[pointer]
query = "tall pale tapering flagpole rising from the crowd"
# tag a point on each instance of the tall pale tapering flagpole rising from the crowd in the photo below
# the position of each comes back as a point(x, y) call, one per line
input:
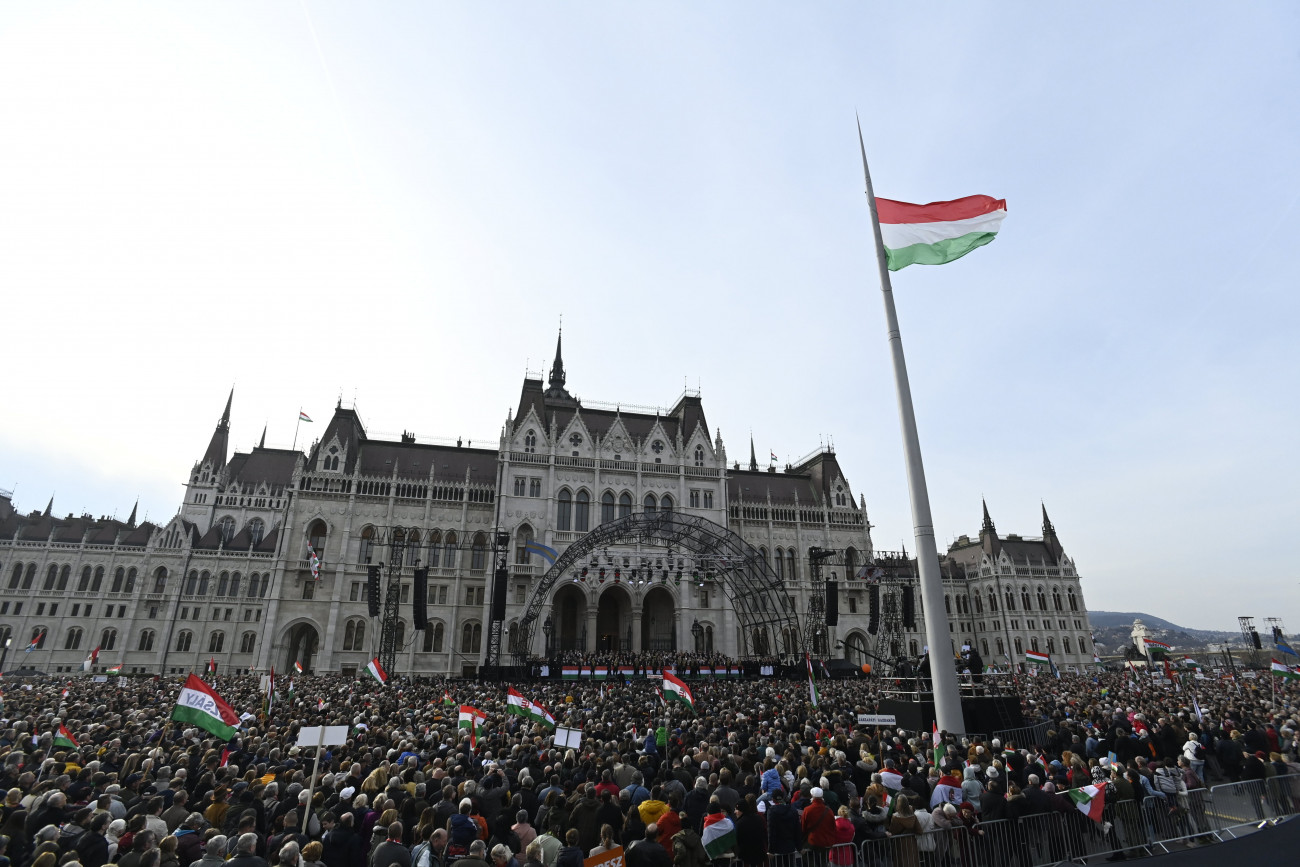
point(948, 701)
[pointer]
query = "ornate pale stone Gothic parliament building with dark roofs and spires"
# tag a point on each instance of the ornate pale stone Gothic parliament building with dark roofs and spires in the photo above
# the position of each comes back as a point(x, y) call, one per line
point(229, 579)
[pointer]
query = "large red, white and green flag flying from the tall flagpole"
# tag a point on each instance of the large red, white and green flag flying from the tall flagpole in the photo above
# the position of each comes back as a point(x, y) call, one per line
point(938, 233)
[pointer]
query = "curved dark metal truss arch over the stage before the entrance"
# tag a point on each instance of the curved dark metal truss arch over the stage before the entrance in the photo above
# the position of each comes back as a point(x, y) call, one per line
point(677, 548)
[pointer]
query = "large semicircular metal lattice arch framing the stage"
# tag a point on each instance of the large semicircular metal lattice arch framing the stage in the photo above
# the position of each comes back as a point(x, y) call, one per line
point(759, 597)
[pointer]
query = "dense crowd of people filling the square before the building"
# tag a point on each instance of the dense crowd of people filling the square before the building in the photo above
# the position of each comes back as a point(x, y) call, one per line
point(97, 774)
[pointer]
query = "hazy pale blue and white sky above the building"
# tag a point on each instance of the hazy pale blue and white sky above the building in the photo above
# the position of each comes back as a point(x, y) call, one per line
point(398, 202)
